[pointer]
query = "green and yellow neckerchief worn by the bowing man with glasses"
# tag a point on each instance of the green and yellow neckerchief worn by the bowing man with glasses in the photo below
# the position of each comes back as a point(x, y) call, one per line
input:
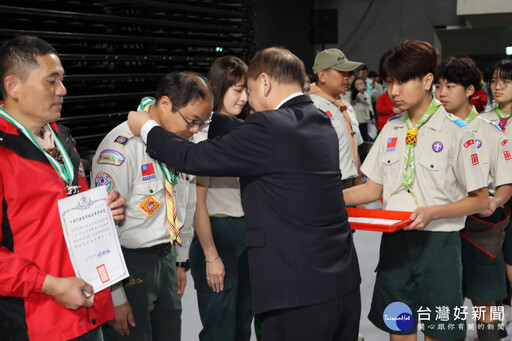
point(171, 179)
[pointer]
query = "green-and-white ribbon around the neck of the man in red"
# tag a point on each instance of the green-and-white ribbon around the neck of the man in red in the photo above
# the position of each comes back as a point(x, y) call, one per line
point(65, 171)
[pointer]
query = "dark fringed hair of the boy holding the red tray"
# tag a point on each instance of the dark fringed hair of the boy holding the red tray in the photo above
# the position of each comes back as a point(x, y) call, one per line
point(407, 60)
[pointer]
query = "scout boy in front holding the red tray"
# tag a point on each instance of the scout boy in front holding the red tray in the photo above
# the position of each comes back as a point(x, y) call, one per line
point(423, 162)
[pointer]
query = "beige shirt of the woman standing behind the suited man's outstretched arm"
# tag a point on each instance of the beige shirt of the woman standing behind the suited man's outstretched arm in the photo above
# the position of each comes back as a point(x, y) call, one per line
point(223, 195)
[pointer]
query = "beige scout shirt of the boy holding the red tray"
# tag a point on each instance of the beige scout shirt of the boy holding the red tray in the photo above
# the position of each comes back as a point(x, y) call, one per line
point(447, 166)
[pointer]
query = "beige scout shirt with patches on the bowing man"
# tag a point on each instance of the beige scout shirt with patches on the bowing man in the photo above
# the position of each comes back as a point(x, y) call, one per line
point(122, 164)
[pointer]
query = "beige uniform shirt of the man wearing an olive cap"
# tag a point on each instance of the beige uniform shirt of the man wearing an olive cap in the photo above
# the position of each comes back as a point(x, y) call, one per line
point(347, 166)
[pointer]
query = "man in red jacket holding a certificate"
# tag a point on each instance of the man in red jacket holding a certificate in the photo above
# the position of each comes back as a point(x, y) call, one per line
point(40, 296)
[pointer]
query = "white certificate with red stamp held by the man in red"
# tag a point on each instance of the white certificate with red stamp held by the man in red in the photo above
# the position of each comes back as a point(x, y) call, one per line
point(92, 239)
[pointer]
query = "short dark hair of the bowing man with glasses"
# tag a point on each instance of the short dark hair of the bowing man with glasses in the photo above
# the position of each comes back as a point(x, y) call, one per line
point(183, 87)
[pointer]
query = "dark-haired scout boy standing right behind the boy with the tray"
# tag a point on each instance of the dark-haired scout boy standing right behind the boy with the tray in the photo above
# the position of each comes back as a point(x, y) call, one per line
point(484, 280)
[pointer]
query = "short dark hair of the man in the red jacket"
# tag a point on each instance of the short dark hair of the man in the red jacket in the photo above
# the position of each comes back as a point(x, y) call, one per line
point(18, 56)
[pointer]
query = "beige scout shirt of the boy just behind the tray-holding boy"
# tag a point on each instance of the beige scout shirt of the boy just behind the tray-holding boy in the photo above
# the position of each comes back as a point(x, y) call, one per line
point(494, 152)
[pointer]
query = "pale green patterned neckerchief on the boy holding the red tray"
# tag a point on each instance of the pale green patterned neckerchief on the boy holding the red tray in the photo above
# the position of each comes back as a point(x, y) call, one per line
point(410, 140)
